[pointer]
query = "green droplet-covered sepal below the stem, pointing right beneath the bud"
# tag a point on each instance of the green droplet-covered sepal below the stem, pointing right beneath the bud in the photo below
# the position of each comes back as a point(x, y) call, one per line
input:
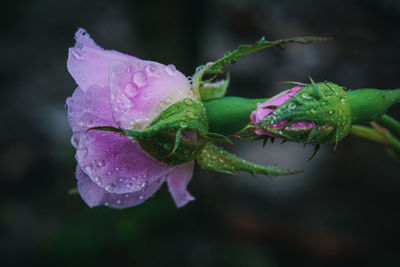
point(217, 159)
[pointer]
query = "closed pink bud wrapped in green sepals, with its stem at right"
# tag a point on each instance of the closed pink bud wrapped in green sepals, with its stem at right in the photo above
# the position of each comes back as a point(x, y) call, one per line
point(319, 113)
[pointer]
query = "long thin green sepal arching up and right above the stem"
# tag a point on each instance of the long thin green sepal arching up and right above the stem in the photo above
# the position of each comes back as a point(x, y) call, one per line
point(214, 68)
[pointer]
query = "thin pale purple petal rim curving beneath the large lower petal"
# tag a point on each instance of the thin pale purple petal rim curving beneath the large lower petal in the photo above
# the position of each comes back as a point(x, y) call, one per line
point(95, 195)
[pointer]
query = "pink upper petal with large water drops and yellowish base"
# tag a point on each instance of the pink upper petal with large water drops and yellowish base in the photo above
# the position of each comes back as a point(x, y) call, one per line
point(141, 90)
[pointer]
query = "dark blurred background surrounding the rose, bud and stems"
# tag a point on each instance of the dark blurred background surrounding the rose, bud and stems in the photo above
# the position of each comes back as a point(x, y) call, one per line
point(342, 211)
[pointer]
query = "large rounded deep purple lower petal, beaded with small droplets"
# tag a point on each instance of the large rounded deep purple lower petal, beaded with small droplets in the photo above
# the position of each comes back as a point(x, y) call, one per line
point(117, 163)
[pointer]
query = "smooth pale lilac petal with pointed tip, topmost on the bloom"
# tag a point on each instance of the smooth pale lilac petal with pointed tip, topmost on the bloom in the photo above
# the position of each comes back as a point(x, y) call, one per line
point(89, 64)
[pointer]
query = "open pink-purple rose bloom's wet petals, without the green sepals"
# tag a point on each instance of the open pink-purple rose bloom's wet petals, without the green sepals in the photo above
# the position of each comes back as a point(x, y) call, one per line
point(123, 91)
